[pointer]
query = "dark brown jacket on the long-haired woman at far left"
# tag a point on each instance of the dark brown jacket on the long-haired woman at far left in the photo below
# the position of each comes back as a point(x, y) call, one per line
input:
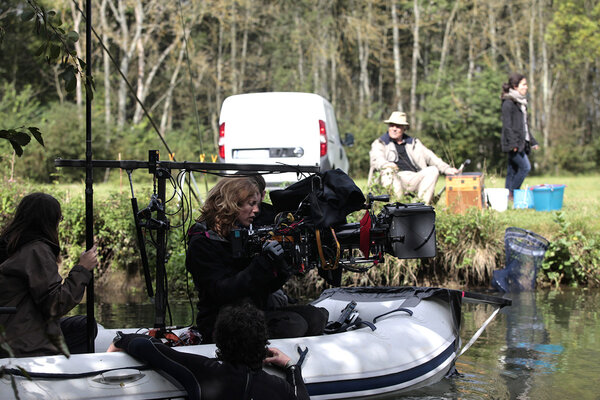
point(29, 280)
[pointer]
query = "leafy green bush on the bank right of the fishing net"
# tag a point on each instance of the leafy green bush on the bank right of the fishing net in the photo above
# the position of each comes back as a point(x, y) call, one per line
point(572, 258)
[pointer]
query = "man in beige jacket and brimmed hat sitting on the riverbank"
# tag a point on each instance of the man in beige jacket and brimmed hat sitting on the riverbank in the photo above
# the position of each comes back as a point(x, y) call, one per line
point(404, 162)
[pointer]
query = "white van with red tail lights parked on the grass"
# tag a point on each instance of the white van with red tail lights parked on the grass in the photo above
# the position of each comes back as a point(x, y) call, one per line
point(281, 128)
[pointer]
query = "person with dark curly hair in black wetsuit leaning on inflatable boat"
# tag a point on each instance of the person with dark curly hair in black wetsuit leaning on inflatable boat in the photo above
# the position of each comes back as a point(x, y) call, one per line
point(236, 373)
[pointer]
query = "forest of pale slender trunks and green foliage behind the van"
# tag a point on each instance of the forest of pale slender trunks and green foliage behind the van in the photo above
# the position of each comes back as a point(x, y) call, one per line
point(442, 62)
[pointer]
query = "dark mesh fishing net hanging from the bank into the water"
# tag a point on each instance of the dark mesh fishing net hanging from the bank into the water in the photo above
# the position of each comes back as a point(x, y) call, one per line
point(524, 255)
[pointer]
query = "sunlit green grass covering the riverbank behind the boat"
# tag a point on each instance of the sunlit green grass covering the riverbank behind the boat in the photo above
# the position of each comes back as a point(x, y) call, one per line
point(457, 260)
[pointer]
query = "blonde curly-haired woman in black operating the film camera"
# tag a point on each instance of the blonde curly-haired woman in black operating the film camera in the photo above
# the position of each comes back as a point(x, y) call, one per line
point(221, 279)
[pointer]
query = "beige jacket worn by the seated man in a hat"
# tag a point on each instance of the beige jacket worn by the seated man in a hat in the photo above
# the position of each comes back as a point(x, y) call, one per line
point(383, 154)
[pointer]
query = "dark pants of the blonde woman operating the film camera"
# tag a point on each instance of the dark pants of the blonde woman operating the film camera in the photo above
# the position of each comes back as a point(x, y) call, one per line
point(296, 321)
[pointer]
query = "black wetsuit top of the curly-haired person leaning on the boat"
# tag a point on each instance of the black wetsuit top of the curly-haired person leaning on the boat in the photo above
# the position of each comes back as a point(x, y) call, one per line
point(206, 378)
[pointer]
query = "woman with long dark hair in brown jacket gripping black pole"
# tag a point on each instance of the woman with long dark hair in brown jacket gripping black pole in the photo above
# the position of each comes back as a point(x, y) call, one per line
point(29, 281)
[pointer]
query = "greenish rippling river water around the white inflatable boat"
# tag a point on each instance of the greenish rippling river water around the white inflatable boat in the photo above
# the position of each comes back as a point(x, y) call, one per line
point(546, 346)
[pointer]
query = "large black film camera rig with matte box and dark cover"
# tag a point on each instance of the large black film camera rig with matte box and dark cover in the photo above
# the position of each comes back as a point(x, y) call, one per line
point(311, 227)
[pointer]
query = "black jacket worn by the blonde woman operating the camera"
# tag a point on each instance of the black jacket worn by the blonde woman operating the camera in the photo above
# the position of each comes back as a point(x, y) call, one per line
point(221, 279)
